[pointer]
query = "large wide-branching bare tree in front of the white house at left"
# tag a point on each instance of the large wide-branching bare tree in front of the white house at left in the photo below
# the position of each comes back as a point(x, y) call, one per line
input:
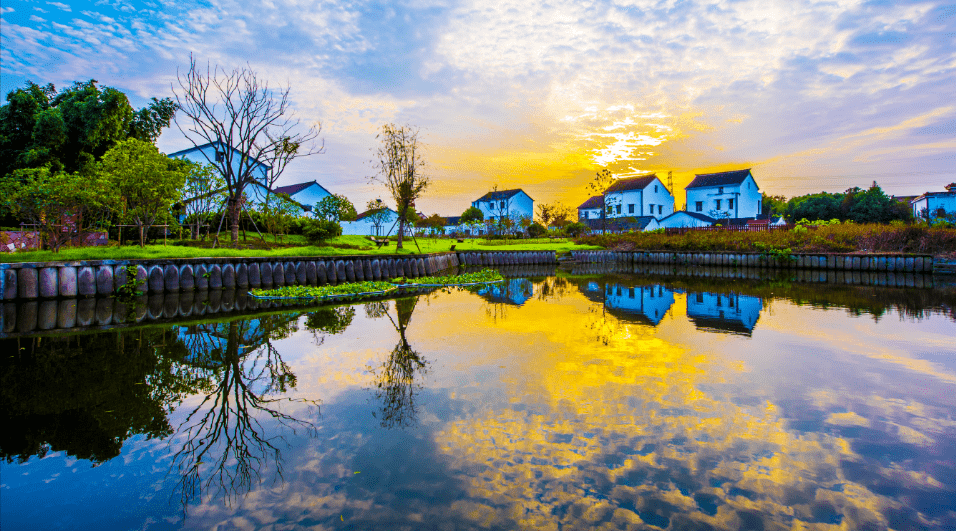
point(249, 124)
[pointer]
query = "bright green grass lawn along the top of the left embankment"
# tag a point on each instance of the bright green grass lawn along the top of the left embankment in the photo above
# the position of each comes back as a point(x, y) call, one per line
point(290, 246)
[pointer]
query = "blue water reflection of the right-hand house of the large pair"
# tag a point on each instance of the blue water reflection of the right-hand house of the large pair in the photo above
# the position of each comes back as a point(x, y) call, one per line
point(729, 313)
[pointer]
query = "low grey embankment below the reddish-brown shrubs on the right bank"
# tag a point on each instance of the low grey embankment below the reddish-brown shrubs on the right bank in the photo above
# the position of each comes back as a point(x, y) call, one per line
point(847, 262)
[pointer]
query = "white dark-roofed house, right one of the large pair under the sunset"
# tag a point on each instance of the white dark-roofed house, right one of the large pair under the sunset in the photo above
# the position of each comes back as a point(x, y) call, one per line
point(730, 194)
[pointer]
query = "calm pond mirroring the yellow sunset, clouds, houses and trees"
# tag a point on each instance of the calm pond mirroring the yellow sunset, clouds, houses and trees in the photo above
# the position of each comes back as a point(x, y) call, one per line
point(558, 401)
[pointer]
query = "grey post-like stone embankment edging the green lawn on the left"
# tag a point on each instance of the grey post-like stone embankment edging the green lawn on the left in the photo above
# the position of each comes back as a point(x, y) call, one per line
point(48, 280)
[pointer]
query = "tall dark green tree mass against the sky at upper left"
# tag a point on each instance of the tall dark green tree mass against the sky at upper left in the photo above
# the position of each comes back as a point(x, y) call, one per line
point(70, 130)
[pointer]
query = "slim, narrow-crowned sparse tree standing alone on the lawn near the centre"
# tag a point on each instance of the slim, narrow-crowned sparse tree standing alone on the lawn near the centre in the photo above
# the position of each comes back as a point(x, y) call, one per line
point(401, 169)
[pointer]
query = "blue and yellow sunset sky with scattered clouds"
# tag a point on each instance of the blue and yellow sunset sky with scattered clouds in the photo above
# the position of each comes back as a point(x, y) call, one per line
point(542, 94)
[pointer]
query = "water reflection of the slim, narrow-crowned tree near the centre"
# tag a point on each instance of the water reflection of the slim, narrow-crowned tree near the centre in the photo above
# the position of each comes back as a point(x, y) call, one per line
point(395, 384)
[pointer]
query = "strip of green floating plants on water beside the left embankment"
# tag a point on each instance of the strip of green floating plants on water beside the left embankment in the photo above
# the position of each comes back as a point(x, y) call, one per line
point(356, 290)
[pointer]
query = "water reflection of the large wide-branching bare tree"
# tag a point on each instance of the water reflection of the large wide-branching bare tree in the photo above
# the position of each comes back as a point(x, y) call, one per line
point(227, 446)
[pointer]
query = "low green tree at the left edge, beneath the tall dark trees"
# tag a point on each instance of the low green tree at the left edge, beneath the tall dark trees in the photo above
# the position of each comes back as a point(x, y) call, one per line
point(59, 204)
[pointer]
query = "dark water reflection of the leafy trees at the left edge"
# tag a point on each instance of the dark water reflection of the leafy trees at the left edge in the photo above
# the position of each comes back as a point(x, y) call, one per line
point(87, 394)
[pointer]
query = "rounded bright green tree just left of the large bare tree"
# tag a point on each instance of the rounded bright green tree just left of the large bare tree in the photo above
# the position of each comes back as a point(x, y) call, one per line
point(147, 182)
